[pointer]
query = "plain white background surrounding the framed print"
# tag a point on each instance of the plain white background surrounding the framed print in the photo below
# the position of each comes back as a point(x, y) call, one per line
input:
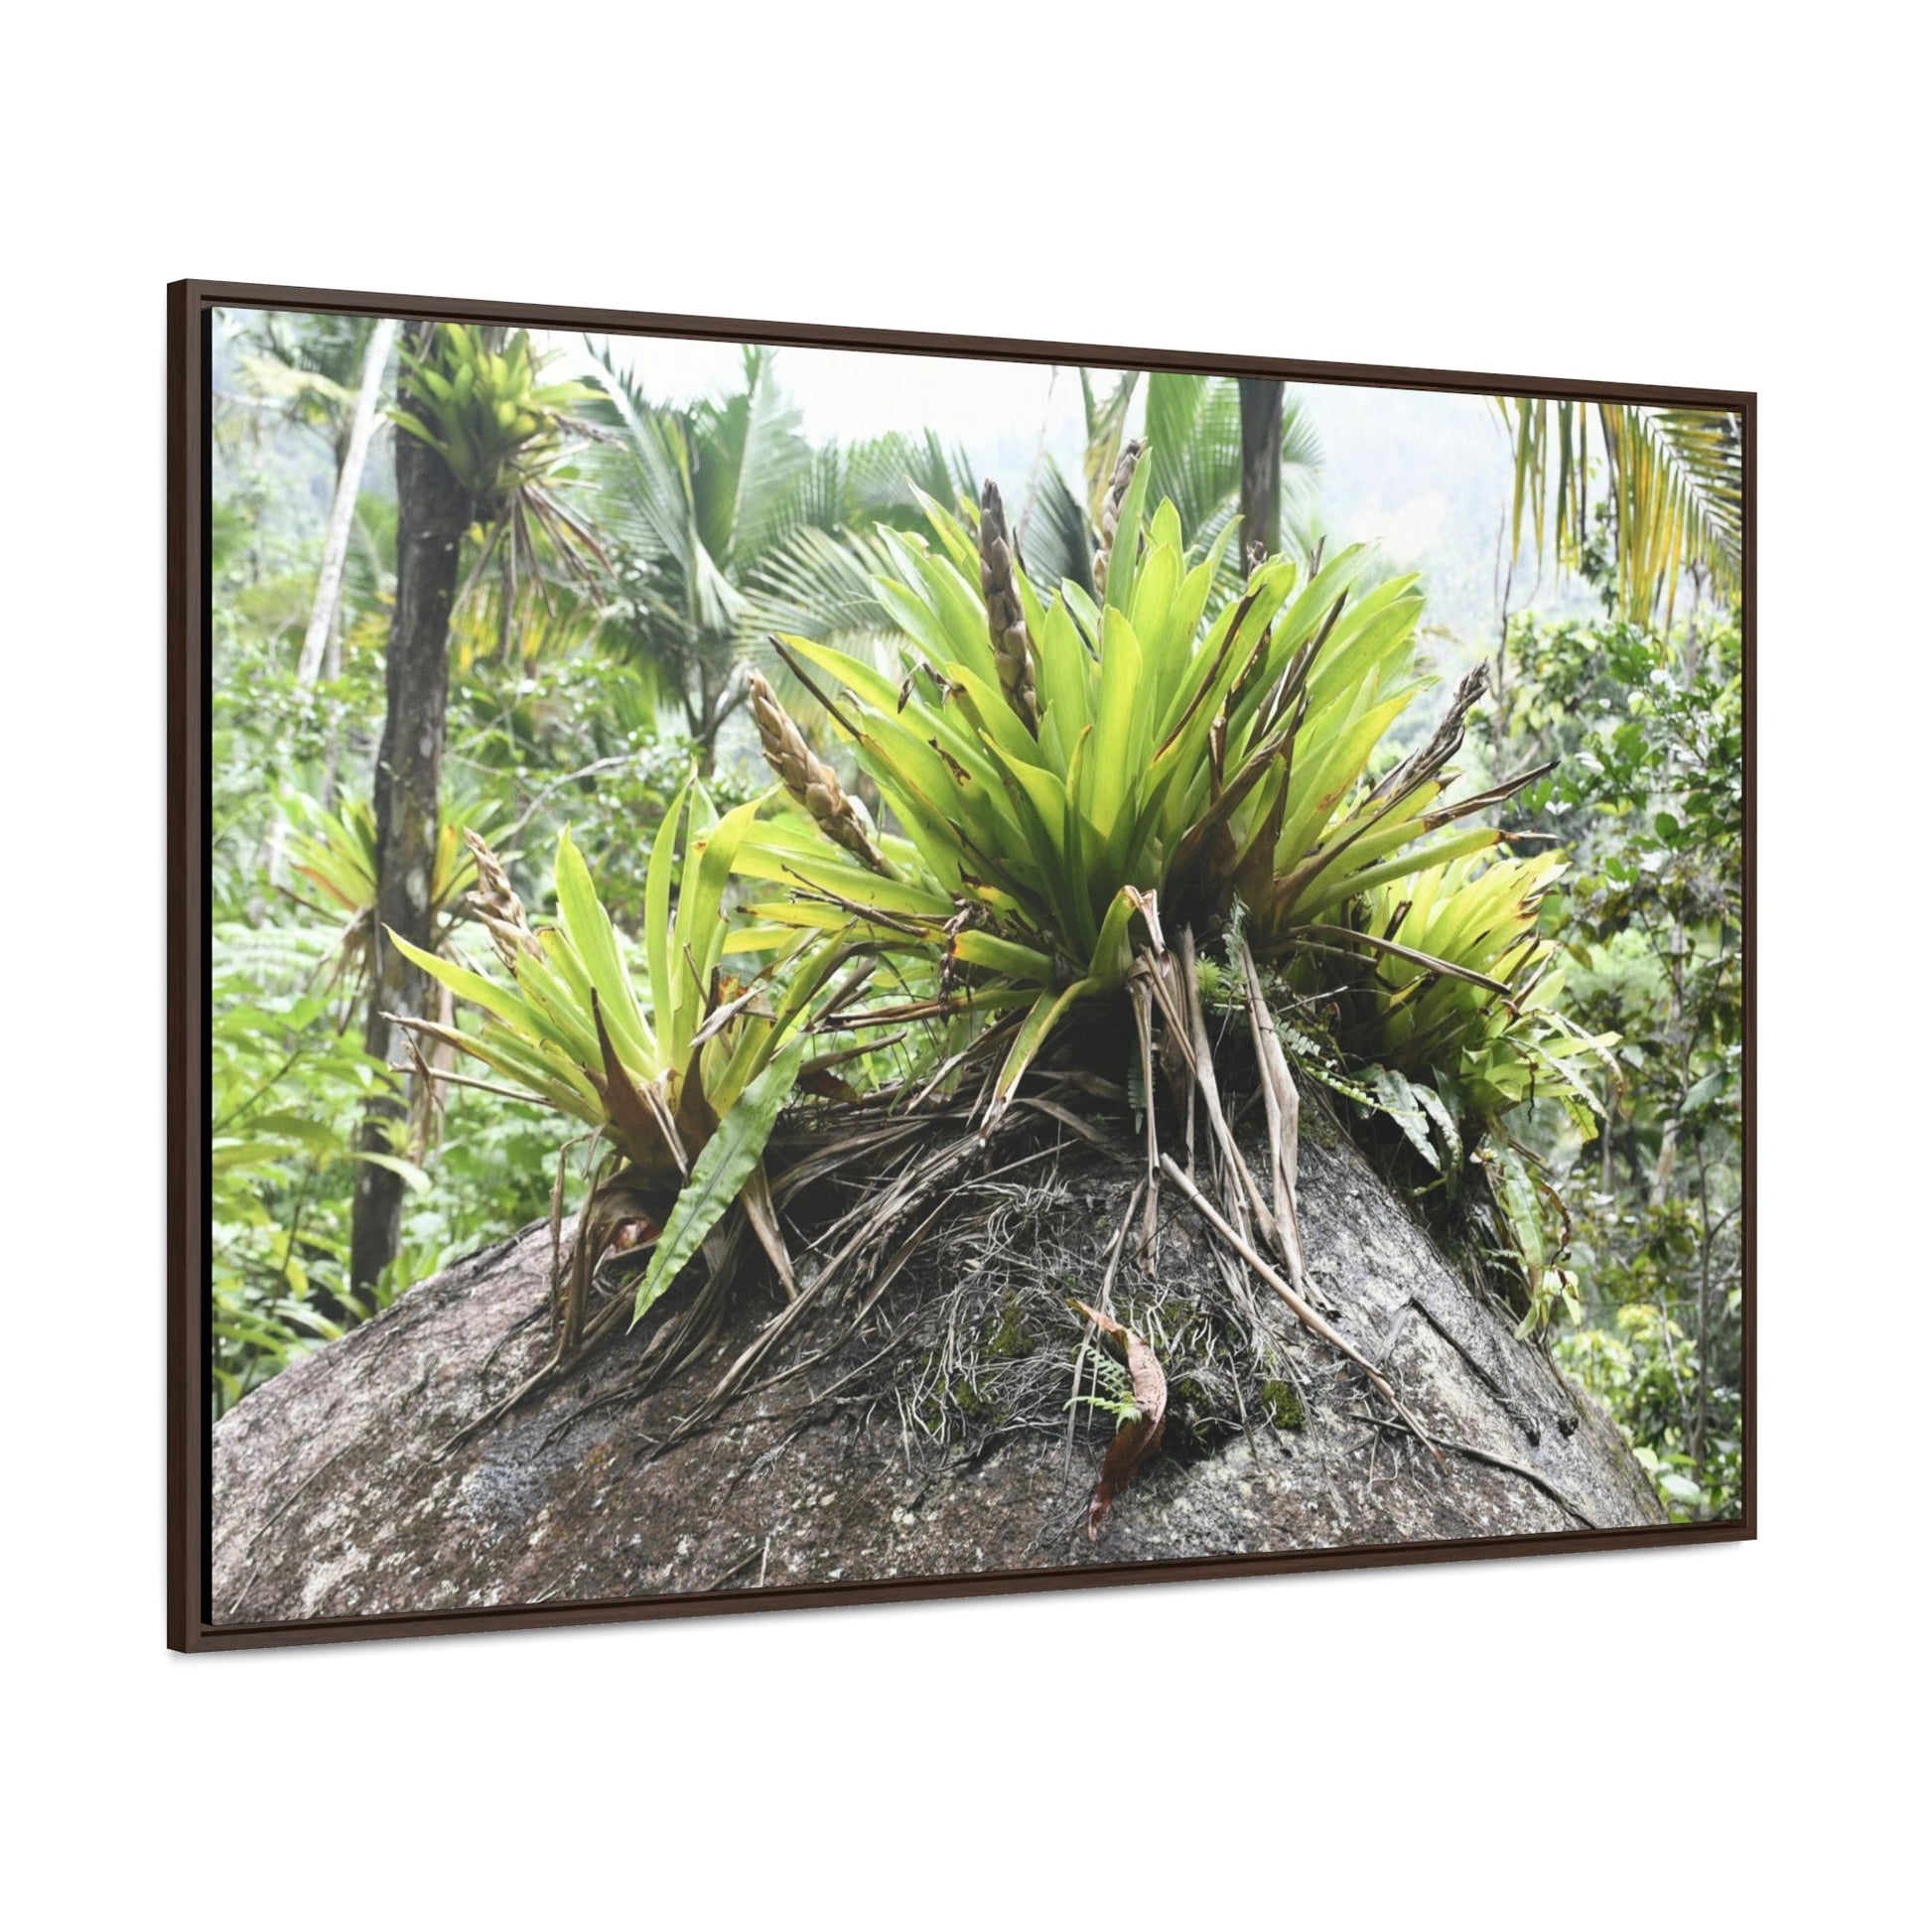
point(1676, 194)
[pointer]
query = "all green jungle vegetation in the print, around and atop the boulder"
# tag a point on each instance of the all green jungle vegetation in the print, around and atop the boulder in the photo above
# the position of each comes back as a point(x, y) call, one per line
point(639, 816)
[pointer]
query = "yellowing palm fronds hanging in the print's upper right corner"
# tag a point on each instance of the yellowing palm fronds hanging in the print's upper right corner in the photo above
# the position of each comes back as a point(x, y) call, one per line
point(1676, 494)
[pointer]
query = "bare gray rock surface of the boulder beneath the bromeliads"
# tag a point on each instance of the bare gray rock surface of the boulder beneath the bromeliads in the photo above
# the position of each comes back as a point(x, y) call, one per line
point(329, 1498)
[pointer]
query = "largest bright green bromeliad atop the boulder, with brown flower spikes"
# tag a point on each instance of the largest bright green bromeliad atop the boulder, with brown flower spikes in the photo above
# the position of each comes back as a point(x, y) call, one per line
point(1069, 770)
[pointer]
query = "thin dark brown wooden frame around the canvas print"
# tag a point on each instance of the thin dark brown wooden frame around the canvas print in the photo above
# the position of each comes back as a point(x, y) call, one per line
point(188, 1409)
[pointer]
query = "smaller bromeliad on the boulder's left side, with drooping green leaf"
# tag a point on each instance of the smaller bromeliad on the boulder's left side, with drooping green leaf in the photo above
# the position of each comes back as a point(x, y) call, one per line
point(679, 1081)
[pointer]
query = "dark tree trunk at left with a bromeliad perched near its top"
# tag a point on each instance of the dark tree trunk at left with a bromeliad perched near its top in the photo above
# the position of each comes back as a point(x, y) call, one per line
point(432, 517)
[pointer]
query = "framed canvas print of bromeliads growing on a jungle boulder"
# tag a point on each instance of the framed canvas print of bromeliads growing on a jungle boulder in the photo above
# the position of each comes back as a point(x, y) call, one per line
point(814, 965)
